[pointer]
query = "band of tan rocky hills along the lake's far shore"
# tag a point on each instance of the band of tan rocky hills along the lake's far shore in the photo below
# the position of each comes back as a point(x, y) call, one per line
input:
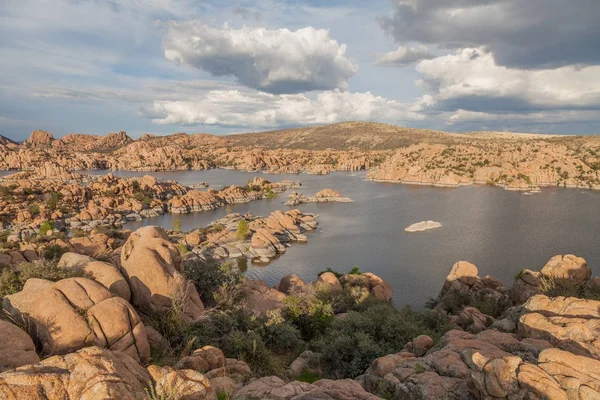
point(390, 153)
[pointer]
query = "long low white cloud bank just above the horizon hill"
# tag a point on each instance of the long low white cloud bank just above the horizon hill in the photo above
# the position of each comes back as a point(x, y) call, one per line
point(263, 110)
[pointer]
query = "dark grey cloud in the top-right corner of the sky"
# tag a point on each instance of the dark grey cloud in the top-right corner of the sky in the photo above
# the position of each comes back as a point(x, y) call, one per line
point(520, 33)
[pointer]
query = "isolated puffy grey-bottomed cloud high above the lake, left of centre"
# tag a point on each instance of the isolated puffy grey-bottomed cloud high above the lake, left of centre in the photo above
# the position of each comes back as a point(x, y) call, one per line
point(272, 60)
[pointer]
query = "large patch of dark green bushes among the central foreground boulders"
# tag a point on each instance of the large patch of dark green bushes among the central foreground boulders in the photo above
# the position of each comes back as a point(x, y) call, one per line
point(268, 343)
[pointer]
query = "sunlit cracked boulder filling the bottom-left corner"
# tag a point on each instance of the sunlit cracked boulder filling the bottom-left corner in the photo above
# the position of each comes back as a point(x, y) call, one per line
point(90, 373)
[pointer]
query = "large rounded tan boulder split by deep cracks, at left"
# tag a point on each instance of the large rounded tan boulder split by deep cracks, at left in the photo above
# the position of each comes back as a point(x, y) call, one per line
point(78, 312)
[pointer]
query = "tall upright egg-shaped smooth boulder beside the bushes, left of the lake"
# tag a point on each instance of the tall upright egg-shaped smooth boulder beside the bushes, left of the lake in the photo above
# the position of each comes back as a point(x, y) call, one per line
point(154, 270)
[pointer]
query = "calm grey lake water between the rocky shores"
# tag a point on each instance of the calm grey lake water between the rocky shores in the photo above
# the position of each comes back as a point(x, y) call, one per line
point(501, 232)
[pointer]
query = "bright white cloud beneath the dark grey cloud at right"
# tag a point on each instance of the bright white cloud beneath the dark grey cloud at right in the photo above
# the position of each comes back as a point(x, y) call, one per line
point(474, 73)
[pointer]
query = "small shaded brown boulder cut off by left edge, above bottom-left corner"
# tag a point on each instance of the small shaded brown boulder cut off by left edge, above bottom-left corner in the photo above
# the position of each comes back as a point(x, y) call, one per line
point(16, 347)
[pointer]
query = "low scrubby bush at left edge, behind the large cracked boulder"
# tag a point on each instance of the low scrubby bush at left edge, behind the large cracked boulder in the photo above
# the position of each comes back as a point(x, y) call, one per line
point(13, 280)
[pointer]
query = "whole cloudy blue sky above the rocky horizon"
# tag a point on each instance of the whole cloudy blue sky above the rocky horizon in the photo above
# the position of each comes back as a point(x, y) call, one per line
point(221, 66)
